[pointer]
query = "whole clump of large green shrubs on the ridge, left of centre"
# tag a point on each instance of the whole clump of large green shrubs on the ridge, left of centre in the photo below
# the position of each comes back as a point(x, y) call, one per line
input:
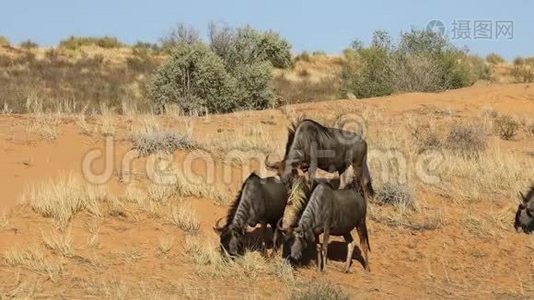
point(233, 73)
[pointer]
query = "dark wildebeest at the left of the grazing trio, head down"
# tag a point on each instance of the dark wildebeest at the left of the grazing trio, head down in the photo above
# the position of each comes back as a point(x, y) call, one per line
point(260, 200)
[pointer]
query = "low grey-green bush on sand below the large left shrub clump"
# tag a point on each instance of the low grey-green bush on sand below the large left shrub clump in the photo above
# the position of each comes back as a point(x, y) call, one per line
point(166, 142)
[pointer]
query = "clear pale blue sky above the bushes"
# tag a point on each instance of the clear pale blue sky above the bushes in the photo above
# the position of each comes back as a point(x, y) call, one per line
point(308, 25)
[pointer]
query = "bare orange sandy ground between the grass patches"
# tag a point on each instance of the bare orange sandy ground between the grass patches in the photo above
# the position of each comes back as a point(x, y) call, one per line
point(453, 260)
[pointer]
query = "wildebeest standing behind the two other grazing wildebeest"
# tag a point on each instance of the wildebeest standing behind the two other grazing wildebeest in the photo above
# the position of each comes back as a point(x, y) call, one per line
point(311, 146)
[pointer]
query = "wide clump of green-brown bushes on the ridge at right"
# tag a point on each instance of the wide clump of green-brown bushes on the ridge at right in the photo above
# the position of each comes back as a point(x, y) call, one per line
point(421, 61)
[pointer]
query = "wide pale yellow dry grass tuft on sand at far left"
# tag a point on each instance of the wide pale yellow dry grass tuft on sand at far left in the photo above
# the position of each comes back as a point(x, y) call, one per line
point(63, 198)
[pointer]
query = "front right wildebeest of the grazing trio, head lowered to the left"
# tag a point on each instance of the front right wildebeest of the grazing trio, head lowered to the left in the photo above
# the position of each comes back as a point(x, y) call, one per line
point(330, 212)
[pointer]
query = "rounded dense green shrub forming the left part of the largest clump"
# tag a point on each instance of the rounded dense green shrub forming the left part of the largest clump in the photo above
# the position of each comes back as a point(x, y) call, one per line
point(195, 79)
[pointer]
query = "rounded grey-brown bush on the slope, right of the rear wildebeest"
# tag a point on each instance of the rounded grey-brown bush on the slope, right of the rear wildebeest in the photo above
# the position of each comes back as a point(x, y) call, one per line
point(467, 139)
